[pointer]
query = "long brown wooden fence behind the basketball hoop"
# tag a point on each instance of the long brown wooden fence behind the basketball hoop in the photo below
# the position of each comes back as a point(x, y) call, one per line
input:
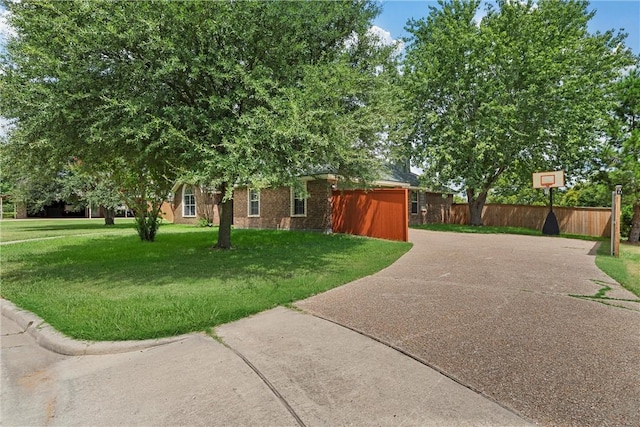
point(572, 220)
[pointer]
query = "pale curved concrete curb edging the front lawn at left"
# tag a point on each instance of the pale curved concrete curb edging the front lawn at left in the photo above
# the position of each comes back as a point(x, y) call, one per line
point(49, 338)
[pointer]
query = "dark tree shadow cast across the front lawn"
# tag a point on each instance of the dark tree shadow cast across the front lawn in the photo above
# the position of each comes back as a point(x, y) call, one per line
point(187, 256)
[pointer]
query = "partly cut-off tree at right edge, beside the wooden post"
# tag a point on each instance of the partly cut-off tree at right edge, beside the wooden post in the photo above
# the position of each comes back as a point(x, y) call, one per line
point(625, 139)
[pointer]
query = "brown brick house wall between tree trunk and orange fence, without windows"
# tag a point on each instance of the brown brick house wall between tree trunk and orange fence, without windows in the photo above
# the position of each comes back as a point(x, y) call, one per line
point(275, 208)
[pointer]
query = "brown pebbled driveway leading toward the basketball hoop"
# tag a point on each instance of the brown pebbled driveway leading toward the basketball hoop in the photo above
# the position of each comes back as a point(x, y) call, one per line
point(514, 318)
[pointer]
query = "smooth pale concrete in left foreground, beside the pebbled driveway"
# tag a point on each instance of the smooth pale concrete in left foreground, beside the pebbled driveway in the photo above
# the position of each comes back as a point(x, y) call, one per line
point(277, 368)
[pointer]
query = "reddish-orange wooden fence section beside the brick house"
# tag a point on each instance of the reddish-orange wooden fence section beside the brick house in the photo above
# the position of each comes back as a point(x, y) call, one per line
point(380, 213)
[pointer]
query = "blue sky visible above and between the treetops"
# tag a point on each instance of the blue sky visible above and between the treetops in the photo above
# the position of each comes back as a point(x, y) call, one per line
point(610, 14)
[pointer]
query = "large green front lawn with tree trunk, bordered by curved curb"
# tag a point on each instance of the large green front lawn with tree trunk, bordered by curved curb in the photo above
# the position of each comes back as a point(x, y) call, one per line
point(112, 286)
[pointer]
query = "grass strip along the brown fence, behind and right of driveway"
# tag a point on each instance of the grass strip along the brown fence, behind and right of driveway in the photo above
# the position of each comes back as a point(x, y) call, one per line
point(625, 270)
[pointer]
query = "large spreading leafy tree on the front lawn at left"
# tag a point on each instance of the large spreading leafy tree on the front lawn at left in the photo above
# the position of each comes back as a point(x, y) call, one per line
point(222, 92)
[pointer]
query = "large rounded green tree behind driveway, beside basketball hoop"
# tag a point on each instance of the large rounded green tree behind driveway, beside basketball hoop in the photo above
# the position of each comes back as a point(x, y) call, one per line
point(526, 89)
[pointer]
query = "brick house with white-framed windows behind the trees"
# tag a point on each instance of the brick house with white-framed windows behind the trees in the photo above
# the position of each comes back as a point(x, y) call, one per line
point(283, 208)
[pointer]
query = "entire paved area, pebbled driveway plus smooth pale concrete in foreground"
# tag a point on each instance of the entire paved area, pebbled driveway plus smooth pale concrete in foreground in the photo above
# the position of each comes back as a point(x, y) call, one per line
point(464, 330)
